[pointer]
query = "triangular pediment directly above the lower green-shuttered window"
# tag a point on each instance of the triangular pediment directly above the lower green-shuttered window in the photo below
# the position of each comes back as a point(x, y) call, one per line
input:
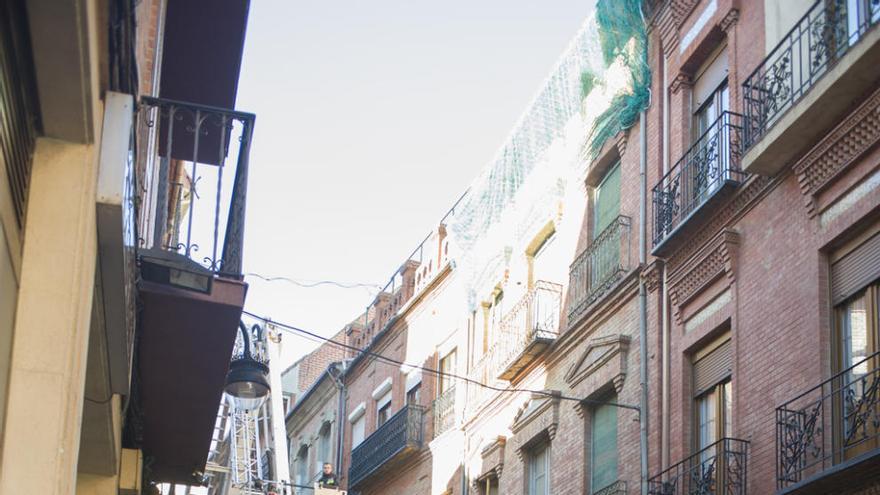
point(610, 350)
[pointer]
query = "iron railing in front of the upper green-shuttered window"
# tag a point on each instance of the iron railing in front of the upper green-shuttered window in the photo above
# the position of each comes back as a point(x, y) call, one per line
point(596, 269)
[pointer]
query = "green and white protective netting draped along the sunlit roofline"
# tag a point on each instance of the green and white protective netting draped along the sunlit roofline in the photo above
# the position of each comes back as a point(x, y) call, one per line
point(596, 89)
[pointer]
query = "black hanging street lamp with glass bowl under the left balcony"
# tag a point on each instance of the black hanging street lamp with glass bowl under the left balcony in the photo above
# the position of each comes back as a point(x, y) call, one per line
point(248, 379)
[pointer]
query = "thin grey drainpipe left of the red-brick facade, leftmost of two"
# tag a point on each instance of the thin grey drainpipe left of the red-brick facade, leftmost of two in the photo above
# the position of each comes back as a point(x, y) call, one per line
point(643, 302)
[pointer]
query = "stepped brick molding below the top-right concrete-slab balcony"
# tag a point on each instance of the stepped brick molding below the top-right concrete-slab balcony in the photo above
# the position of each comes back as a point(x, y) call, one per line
point(838, 150)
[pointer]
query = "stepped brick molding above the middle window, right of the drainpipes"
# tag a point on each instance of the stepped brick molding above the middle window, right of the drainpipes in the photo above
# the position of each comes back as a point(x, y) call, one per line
point(715, 259)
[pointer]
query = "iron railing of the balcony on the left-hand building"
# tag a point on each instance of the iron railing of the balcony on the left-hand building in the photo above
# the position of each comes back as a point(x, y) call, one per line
point(196, 163)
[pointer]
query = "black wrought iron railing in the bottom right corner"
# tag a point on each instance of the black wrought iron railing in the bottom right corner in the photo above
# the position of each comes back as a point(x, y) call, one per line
point(830, 423)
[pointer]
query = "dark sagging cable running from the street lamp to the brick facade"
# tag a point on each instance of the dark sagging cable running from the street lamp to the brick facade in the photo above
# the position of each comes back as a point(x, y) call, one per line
point(433, 371)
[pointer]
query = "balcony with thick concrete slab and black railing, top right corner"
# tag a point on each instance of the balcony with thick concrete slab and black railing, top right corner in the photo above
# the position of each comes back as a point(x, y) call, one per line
point(824, 65)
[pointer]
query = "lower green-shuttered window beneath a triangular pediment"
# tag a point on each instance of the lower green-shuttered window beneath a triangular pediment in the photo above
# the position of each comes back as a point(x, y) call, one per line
point(603, 446)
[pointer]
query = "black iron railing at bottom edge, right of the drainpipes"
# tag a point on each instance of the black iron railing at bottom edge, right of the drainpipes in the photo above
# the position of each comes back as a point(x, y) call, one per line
point(720, 468)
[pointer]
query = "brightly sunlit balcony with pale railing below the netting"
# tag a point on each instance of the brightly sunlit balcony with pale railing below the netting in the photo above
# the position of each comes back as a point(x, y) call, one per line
point(529, 328)
